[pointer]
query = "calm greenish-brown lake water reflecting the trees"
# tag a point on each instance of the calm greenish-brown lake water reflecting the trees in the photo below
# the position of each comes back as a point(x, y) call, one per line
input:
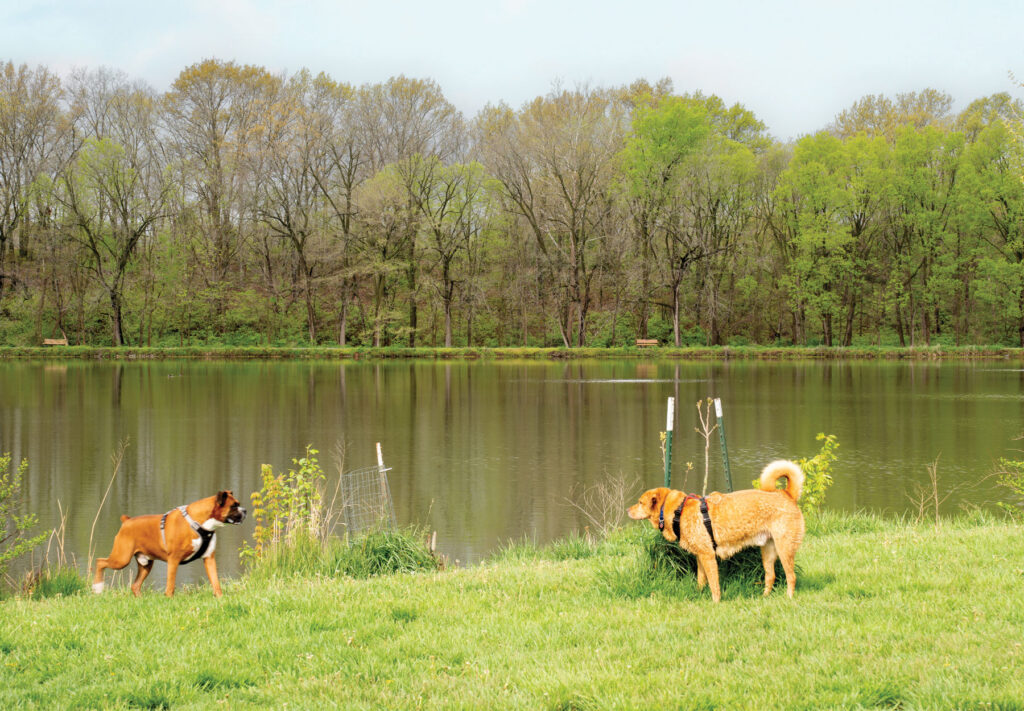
point(489, 452)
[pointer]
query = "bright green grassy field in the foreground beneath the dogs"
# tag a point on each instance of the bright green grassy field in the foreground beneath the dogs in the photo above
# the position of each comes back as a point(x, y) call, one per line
point(887, 615)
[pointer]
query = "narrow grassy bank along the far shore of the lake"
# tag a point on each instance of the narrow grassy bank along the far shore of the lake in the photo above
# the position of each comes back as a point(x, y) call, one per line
point(691, 353)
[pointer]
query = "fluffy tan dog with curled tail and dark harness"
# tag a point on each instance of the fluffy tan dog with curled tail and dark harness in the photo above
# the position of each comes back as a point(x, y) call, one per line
point(726, 524)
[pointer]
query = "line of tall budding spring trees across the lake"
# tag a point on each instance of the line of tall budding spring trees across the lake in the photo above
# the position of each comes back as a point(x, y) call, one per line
point(247, 207)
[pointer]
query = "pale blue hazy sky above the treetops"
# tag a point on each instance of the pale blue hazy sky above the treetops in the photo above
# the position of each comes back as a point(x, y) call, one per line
point(796, 65)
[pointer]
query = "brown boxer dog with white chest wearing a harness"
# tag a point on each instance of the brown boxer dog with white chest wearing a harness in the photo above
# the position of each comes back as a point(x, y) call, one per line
point(183, 535)
